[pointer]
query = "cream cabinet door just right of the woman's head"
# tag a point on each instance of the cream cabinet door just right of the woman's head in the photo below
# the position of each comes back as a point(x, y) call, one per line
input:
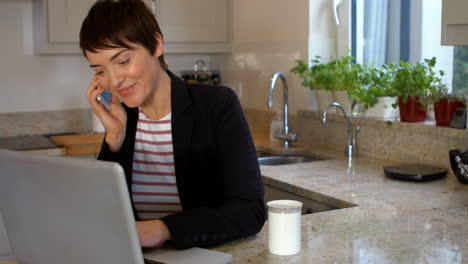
point(193, 26)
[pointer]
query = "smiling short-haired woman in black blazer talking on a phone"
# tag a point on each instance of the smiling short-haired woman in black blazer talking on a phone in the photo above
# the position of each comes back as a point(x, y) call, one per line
point(186, 149)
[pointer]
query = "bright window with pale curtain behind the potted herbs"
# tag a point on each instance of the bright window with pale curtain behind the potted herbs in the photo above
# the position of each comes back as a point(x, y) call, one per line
point(387, 31)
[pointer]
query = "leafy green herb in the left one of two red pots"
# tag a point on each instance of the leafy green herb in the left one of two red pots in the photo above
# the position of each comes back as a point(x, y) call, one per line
point(413, 85)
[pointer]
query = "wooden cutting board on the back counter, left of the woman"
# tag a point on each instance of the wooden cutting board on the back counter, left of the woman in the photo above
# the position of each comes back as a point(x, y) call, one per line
point(79, 144)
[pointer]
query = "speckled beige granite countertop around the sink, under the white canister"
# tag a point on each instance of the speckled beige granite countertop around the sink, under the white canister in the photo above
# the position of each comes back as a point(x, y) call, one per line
point(393, 222)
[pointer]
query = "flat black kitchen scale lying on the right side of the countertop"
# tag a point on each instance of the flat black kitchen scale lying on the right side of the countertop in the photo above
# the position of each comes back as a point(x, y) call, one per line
point(414, 172)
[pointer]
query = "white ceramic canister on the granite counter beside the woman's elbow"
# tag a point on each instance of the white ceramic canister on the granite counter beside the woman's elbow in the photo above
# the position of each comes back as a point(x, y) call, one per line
point(284, 227)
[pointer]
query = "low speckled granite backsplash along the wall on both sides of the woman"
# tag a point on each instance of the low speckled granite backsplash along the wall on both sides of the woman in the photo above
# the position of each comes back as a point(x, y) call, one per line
point(405, 142)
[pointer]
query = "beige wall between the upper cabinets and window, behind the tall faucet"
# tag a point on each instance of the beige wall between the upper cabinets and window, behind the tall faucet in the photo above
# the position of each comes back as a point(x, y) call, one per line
point(267, 36)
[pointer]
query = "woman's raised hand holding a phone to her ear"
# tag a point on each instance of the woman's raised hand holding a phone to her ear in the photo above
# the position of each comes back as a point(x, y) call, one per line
point(114, 121)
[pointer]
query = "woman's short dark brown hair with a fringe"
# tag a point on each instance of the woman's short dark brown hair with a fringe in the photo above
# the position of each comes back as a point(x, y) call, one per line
point(116, 23)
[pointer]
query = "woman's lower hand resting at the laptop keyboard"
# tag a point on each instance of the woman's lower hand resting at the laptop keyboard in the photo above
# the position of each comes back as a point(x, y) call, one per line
point(152, 233)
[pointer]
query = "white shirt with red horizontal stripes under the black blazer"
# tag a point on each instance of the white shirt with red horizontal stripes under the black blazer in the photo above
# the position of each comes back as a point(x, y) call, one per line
point(154, 188)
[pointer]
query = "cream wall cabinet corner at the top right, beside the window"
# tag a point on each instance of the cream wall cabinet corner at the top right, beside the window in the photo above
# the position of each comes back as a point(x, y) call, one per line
point(454, 22)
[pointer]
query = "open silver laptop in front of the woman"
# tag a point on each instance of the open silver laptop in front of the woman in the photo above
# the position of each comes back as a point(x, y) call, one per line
point(70, 210)
